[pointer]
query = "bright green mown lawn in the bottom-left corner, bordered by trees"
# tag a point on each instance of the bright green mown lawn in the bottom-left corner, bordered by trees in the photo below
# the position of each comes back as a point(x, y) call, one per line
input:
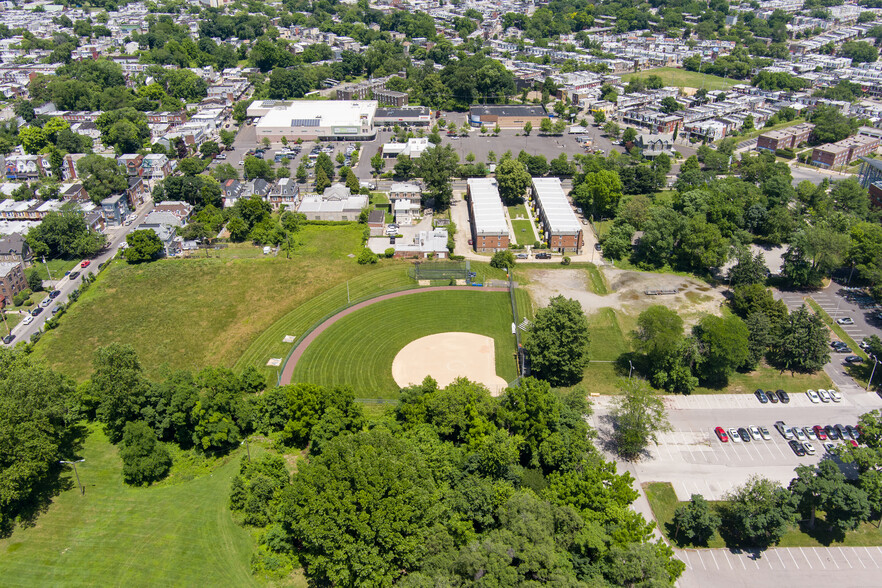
point(172, 535)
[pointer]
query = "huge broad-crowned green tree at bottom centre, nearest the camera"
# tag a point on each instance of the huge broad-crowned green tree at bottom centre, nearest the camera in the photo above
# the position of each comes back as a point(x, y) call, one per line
point(369, 476)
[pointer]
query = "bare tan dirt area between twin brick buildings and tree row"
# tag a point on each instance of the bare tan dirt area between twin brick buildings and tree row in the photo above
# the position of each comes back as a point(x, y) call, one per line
point(627, 291)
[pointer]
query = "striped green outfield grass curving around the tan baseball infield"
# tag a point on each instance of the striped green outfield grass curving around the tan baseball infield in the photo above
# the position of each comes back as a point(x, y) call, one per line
point(358, 350)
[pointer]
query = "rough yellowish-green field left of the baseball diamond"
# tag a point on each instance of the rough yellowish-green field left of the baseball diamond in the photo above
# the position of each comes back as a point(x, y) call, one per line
point(190, 313)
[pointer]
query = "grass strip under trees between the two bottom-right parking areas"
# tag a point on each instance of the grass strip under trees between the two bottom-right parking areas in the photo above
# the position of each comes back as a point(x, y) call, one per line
point(664, 503)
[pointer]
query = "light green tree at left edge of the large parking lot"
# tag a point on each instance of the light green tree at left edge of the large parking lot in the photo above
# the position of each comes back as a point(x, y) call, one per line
point(639, 414)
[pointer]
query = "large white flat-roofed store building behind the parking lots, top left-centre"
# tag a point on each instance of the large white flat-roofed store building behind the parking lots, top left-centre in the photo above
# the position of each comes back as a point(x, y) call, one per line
point(325, 120)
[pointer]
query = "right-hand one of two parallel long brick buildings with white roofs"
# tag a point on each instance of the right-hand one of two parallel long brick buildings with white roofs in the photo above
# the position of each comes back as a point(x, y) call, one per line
point(558, 225)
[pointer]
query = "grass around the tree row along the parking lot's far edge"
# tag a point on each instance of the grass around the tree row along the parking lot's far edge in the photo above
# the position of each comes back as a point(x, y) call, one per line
point(610, 338)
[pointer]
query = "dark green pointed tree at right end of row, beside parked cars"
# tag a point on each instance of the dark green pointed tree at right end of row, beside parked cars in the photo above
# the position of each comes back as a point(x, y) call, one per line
point(802, 342)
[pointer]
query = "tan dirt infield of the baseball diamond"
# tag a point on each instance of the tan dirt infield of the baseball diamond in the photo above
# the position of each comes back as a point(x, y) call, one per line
point(447, 356)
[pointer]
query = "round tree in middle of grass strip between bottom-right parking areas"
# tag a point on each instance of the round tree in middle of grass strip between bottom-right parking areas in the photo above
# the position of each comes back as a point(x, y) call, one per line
point(759, 513)
